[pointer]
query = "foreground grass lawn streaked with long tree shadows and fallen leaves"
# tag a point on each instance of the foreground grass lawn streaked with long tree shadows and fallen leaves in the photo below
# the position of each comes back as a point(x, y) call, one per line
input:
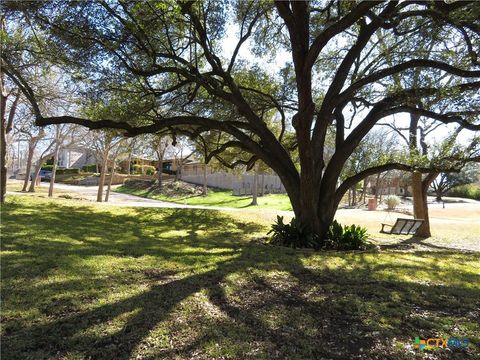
point(87, 281)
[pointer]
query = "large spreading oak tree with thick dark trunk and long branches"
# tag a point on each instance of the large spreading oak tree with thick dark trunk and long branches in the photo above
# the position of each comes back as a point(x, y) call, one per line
point(165, 61)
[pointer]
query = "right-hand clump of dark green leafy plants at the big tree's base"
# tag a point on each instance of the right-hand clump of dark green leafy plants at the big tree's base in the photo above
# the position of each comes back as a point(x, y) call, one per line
point(348, 237)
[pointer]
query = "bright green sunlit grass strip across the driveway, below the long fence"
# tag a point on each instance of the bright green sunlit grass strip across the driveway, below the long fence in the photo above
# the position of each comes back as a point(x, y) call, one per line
point(215, 198)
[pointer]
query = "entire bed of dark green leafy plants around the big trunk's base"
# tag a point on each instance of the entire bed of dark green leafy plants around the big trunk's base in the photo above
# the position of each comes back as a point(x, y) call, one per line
point(297, 235)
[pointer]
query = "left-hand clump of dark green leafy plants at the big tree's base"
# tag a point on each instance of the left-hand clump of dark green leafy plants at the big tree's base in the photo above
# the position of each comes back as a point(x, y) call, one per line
point(292, 234)
